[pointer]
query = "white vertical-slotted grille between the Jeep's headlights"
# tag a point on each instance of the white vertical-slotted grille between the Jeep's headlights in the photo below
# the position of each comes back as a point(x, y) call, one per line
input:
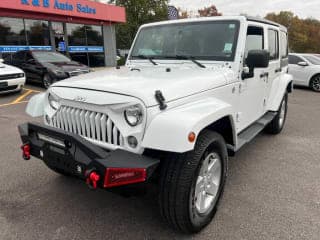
point(89, 124)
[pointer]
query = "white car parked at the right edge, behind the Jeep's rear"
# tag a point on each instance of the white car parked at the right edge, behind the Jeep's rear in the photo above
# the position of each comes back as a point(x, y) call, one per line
point(305, 69)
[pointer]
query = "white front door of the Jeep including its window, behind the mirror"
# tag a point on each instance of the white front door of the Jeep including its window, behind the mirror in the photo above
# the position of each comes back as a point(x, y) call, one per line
point(252, 90)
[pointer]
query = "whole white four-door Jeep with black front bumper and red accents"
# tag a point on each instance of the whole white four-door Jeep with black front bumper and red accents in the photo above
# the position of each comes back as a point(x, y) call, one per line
point(192, 93)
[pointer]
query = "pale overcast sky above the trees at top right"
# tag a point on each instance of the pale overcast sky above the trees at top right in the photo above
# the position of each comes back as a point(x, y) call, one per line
point(302, 8)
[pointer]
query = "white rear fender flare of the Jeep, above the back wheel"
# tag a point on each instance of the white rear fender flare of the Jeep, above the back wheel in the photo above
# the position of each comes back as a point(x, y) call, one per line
point(278, 89)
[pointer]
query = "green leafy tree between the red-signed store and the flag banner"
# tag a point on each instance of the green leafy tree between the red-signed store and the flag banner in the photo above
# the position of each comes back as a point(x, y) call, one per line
point(138, 12)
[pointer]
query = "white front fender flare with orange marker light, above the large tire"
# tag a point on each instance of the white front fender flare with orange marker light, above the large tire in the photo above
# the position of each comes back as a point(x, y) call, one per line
point(169, 130)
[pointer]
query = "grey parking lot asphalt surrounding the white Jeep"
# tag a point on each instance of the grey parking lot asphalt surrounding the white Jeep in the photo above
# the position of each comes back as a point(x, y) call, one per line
point(272, 192)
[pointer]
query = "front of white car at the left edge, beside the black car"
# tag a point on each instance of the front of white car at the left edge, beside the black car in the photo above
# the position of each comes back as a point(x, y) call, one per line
point(12, 79)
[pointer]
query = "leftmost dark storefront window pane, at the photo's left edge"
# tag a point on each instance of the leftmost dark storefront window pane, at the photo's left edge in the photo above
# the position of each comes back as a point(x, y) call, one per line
point(12, 32)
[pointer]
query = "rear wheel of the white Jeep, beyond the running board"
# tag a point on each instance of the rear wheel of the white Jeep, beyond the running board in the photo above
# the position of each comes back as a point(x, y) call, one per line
point(277, 124)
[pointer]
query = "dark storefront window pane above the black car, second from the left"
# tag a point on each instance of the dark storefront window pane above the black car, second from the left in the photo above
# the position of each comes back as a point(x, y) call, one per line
point(38, 33)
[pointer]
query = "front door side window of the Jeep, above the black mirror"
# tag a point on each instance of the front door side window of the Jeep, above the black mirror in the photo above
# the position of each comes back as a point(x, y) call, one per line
point(255, 39)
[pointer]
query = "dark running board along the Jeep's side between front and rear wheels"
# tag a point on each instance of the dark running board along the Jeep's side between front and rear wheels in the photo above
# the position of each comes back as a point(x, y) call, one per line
point(251, 132)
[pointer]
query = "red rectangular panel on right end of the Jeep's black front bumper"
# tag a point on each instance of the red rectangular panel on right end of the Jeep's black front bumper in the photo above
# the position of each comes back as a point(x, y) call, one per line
point(123, 176)
